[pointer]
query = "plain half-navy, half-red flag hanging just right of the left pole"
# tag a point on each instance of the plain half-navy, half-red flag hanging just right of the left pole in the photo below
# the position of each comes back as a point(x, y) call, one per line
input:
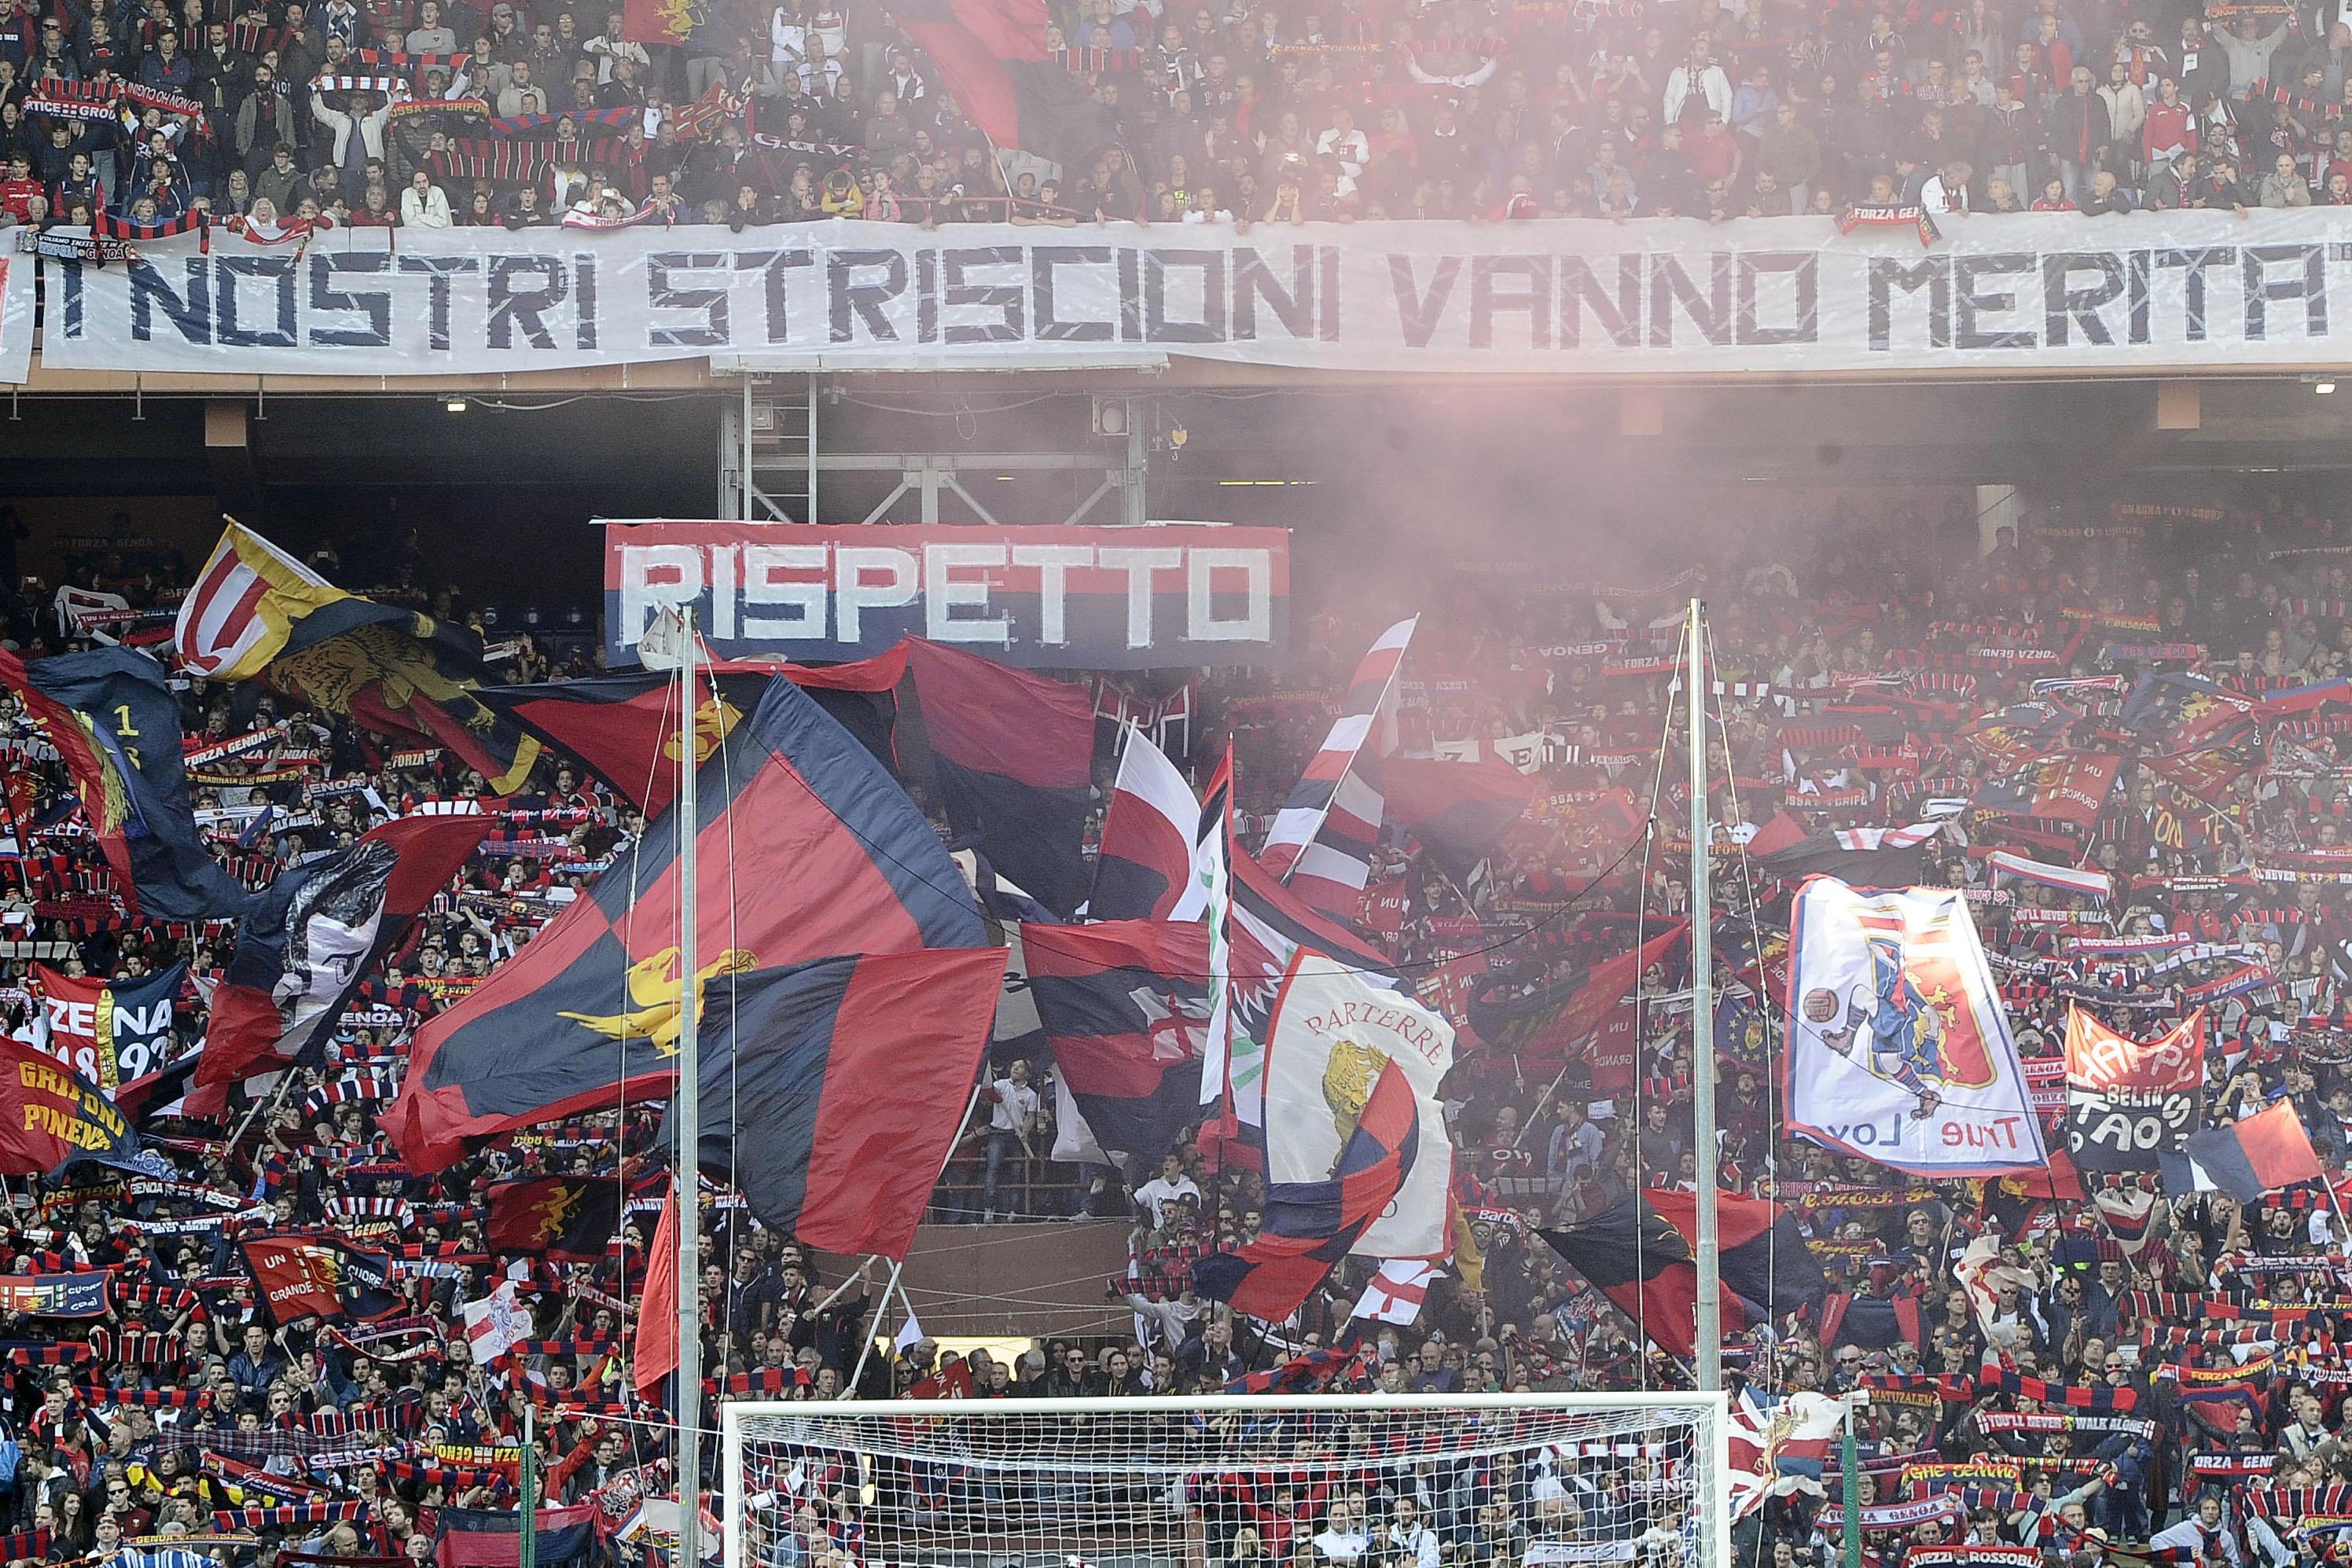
point(831, 1092)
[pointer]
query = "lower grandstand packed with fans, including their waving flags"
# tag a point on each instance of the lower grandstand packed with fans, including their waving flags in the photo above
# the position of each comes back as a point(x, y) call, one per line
point(288, 1261)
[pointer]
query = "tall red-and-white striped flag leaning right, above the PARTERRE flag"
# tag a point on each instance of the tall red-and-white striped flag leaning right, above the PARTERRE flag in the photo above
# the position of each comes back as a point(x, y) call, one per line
point(1323, 838)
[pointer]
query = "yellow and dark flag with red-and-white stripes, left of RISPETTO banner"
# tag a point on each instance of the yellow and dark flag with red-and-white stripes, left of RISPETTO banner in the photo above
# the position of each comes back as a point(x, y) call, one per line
point(255, 610)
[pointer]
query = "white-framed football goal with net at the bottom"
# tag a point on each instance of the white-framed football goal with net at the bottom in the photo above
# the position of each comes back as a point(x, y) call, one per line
point(1229, 1482)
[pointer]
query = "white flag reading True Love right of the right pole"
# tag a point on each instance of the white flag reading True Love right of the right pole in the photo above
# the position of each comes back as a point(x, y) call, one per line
point(1897, 1040)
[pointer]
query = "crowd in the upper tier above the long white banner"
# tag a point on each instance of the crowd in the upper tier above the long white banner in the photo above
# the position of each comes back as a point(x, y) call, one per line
point(436, 114)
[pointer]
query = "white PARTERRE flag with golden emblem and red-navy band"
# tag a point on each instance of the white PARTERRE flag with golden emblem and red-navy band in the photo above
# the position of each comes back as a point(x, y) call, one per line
point(1351, 1080)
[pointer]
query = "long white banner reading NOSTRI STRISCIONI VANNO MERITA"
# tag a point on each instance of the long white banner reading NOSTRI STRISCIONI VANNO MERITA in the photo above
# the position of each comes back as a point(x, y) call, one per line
point(1659, 297)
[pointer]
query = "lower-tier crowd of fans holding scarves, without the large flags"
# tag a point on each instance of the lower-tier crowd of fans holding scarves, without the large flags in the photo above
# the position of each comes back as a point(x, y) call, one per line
point(180, 1409)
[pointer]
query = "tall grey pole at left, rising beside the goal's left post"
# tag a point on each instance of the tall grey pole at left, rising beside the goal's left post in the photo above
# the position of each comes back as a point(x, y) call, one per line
point(688, 1111)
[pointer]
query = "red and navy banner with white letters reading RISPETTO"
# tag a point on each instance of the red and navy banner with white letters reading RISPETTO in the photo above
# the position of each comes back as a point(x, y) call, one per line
point(1151, 598)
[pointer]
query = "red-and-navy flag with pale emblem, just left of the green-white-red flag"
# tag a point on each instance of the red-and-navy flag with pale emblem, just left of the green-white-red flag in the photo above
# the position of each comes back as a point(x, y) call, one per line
point(1125, 1012)
